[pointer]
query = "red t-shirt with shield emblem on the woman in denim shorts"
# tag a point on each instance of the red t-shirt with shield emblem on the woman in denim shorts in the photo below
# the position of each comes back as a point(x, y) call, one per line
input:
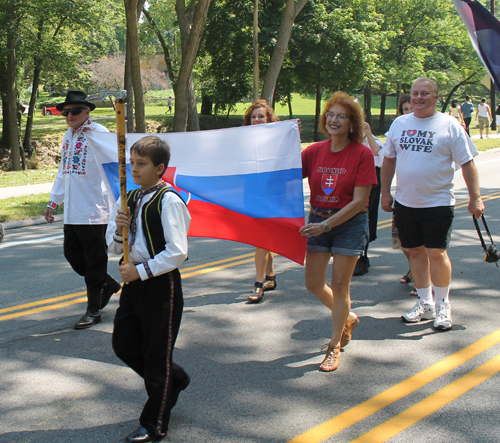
point(334, 175)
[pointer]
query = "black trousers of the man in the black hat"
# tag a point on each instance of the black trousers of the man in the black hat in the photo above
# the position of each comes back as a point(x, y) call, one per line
point(86, 251)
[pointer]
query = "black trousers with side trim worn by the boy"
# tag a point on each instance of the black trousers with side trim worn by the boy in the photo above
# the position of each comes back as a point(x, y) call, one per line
point(145, 330)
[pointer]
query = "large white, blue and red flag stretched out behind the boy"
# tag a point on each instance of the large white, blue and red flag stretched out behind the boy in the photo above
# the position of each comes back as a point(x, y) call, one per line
point(242, 184)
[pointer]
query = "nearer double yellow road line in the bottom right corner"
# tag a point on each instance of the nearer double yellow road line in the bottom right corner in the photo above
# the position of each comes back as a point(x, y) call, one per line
point(412, 415)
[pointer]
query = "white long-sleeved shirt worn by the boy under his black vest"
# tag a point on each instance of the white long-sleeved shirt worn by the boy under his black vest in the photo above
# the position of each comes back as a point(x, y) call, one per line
point(175, 220)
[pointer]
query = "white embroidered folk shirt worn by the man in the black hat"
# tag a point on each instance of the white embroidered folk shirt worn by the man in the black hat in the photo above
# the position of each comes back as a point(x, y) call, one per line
point(78, 182)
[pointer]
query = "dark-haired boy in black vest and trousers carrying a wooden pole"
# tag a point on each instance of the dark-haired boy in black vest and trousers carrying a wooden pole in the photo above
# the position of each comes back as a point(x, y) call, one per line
point(148, 318)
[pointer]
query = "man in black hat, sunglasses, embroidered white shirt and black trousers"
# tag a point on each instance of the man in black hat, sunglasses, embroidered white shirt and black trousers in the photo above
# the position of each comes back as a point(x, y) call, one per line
point(86, 212)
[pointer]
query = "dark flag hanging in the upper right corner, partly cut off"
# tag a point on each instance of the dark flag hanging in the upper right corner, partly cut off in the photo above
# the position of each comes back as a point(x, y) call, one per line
point(484, 32)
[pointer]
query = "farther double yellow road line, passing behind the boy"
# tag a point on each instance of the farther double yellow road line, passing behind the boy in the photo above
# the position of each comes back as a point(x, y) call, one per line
point(80, 297)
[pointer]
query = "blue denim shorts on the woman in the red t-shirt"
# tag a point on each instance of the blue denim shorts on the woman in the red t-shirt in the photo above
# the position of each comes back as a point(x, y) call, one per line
point(349, 238)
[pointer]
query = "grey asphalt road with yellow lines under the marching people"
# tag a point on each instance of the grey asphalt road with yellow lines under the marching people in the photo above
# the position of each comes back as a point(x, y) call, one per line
point(254, 368)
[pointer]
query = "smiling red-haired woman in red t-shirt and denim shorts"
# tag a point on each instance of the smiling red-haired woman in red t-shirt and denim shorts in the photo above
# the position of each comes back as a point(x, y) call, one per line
point(341, 173)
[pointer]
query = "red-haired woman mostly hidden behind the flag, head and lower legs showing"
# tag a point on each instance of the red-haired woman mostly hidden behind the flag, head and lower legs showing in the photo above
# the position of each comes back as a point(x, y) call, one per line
point(260, 112)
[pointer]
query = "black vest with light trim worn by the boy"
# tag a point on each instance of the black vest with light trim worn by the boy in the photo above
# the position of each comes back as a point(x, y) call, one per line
point(151, 218)
